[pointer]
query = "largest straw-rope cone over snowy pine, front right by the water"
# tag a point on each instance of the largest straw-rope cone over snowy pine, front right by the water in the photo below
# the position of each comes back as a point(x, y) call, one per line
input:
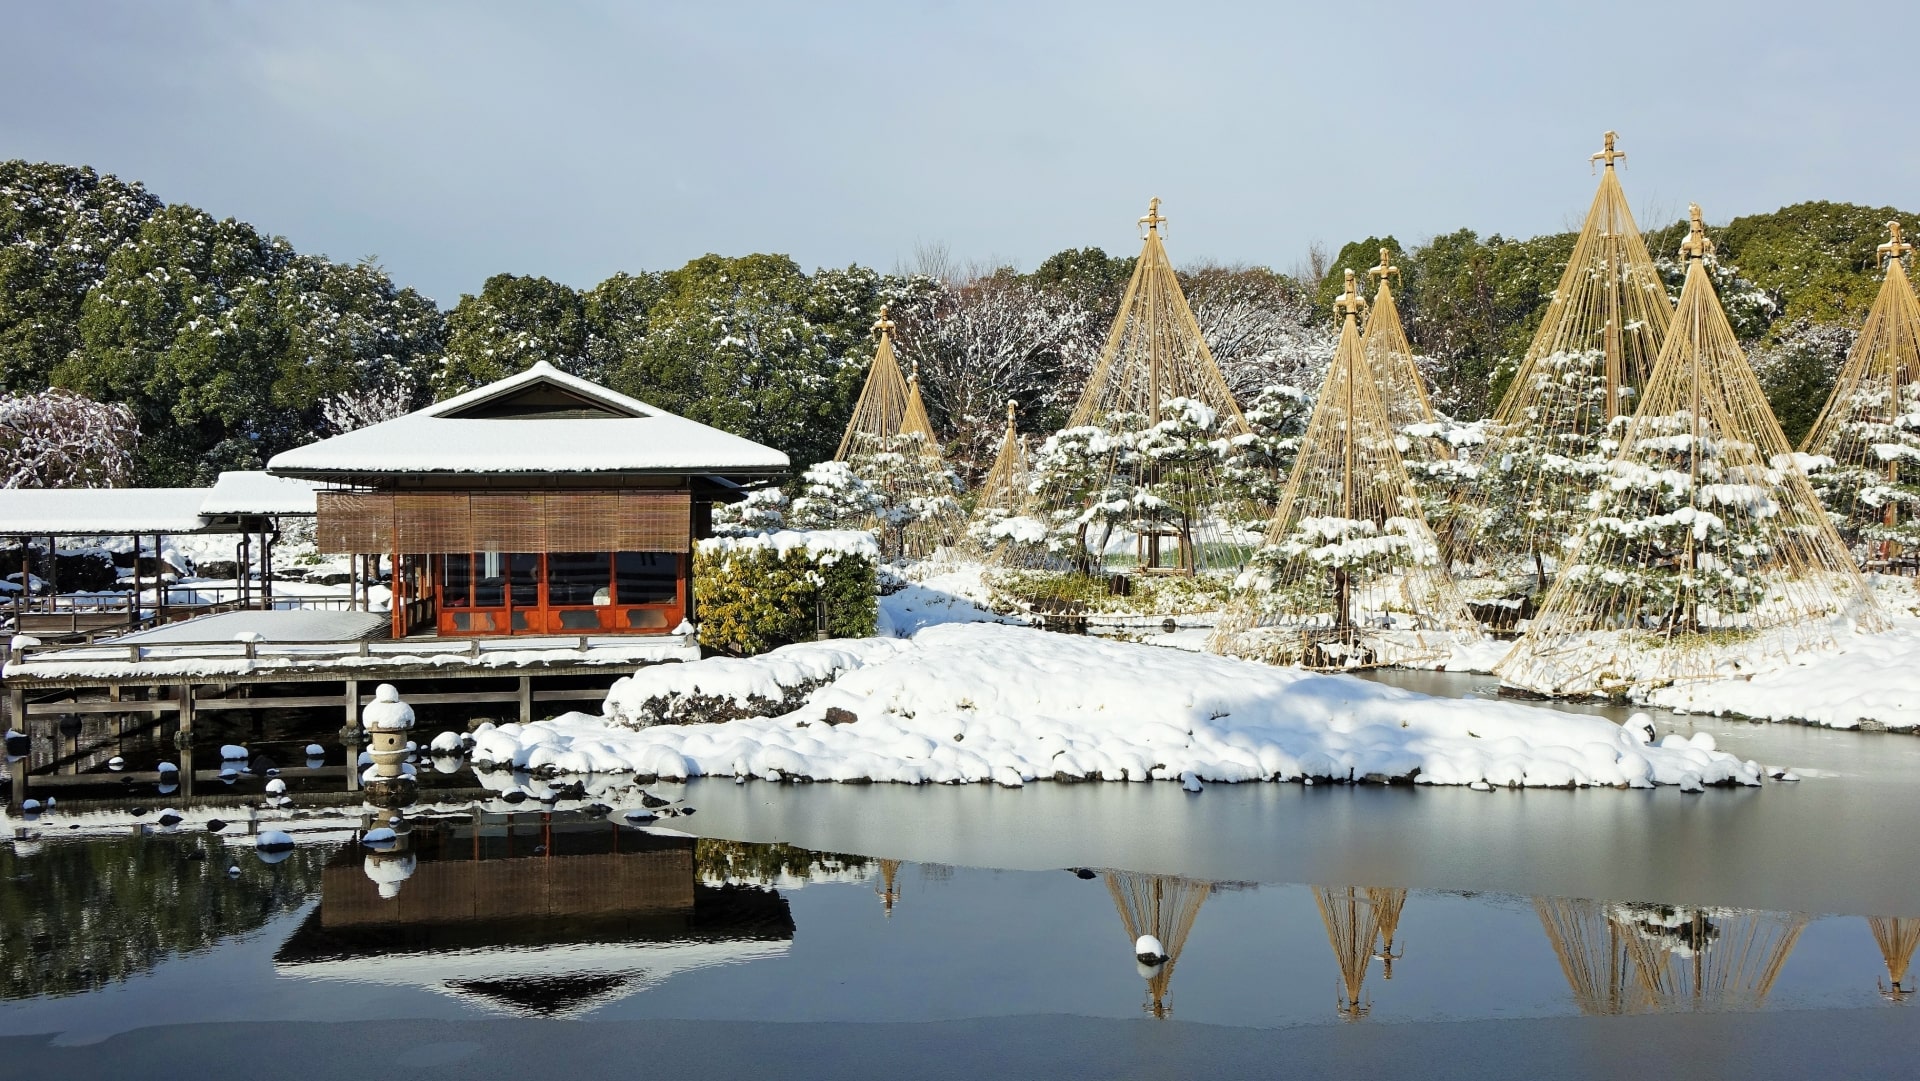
point(1708, 554)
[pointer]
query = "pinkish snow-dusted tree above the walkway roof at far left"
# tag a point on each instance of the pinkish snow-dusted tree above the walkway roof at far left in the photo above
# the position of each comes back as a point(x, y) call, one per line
point(59, 439)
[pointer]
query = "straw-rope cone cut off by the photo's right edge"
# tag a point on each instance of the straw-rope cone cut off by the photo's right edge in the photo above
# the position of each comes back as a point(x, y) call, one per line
point(1873, 423)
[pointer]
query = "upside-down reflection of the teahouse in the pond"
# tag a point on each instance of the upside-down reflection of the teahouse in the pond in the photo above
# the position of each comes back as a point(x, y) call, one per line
point(531, 915)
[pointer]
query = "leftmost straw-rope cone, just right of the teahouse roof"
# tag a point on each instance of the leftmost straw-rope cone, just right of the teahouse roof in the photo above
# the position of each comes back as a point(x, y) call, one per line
point(890, 444)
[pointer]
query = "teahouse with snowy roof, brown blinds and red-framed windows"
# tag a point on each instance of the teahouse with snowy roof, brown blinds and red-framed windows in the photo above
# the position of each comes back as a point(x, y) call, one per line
point(540, 504)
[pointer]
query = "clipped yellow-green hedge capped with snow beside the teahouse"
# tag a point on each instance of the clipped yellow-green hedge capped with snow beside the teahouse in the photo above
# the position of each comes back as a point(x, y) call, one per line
point(754, 596)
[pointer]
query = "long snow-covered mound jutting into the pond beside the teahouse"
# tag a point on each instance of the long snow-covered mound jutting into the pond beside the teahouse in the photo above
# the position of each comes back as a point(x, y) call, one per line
point(967, 704)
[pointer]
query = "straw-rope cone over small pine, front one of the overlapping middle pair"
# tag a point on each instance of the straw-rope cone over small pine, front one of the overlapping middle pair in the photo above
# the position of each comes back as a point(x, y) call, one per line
point(1351, 575)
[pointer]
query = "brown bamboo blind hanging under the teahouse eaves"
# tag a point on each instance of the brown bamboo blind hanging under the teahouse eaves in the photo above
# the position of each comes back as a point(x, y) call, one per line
point(504, 521)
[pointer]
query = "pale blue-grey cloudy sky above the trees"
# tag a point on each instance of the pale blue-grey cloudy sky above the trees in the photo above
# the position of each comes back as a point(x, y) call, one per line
point(462, 139)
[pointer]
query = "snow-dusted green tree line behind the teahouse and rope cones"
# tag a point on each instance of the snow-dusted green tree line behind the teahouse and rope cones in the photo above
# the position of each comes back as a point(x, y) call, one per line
point(228, 347)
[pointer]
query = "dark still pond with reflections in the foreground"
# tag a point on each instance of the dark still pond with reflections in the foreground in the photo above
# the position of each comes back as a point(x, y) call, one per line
point(798, 913)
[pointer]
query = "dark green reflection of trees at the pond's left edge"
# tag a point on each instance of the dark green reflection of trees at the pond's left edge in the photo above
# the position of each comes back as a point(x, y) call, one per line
point(82, 915)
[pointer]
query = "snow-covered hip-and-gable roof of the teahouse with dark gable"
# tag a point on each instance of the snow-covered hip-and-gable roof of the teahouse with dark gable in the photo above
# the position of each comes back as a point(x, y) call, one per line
point(535, 423)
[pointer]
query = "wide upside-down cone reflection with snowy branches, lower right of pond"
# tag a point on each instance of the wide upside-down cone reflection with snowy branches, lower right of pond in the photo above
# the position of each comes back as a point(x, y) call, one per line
point(1710, 959)
